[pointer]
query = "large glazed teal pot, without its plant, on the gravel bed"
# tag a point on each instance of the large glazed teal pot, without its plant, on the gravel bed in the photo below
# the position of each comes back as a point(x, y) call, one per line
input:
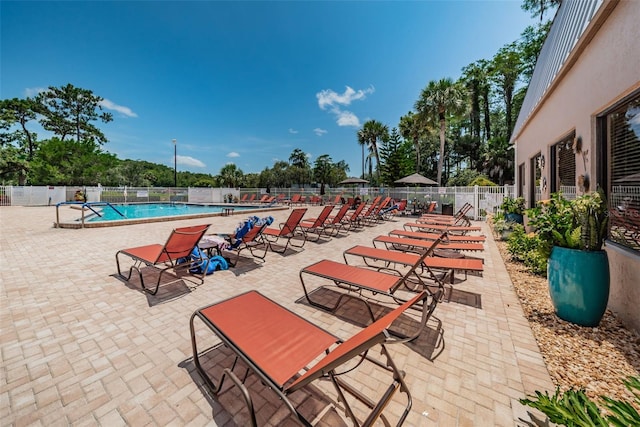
point(579, 284)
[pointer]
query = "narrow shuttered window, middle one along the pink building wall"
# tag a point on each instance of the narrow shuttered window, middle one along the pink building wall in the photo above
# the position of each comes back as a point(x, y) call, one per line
point(563, 167)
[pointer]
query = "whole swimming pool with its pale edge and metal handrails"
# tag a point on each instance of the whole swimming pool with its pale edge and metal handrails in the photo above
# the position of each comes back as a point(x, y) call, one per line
point(101, 214)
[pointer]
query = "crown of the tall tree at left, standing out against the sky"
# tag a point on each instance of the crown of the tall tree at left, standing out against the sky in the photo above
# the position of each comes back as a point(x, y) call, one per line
point(69, 111)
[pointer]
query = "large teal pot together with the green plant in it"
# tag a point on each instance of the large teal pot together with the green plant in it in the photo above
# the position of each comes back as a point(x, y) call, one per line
point(573, 233)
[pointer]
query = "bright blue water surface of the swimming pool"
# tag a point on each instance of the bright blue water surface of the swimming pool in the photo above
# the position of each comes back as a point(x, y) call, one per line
point(154, 210)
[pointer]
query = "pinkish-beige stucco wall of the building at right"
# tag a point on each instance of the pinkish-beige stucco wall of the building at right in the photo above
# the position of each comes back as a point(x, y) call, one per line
point(605, 71)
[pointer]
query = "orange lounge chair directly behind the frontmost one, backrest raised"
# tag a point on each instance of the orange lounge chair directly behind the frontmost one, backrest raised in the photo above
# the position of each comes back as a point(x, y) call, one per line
point(358, 279)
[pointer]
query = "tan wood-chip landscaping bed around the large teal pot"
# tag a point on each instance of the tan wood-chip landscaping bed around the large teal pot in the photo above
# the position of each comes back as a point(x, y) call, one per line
point(595, 359)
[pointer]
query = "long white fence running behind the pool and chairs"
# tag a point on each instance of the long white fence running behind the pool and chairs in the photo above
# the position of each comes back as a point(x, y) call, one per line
point(449, 199)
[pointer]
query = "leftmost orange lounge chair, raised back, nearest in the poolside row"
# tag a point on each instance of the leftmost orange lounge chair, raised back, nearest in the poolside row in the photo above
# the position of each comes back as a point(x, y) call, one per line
point(165, 257)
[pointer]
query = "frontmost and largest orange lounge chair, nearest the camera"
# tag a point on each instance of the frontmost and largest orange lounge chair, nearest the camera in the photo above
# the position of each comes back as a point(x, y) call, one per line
point(277, 344)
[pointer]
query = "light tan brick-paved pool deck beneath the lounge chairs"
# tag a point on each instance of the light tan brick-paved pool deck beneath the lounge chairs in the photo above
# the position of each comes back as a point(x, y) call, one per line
point(81, 347)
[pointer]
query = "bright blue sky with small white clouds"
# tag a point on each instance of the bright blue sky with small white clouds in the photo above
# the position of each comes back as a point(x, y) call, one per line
point(246, 82)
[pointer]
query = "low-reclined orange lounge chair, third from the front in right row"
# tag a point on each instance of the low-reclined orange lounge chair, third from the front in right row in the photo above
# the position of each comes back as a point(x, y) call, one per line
point(388, 257)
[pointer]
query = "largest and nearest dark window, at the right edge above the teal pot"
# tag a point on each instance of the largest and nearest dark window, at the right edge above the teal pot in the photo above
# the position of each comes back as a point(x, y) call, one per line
point(619, 136)
